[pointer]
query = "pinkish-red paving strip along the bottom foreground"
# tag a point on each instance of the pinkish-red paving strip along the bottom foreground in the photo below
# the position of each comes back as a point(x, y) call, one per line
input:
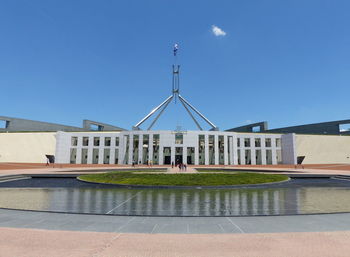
point(36, 243)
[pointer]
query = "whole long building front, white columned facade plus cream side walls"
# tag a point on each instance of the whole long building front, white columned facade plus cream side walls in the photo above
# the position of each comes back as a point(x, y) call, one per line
point(164, 147)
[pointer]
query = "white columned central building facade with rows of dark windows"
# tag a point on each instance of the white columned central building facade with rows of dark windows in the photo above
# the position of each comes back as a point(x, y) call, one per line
point(166, 147)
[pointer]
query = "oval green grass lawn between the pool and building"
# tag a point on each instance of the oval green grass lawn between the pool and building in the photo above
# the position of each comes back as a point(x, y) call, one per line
point(193, 179)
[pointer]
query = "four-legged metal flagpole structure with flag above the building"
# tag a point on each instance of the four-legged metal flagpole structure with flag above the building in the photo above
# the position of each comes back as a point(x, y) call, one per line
point(174, 96)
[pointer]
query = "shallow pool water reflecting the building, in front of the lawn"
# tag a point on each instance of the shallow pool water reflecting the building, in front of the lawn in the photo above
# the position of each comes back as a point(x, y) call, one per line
point(167, 202)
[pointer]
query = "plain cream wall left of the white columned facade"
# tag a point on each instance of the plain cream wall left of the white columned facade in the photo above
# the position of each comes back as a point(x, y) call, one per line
point(27, 147)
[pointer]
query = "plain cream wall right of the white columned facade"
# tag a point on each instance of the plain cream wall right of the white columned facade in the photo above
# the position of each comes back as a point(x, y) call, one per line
point(323, 149)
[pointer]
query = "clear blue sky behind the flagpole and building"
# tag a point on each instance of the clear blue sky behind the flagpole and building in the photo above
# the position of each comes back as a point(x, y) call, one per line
point(285, 62)
